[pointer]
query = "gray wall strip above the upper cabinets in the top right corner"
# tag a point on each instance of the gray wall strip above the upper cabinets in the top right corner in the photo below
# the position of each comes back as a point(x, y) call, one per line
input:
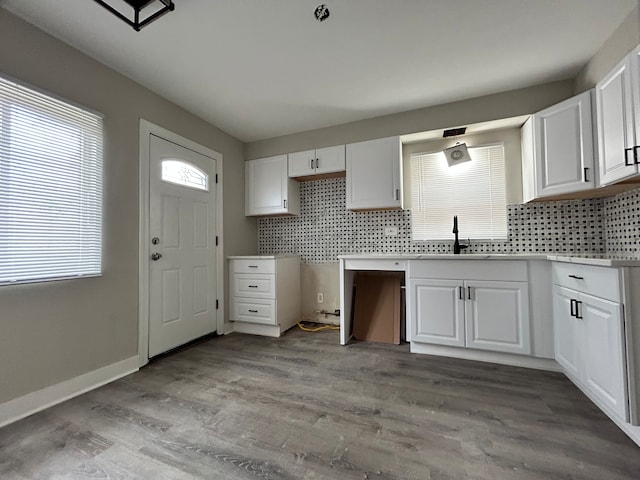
point(622, 41)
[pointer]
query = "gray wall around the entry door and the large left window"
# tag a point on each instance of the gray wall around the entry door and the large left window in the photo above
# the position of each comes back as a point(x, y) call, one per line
point(51, 332)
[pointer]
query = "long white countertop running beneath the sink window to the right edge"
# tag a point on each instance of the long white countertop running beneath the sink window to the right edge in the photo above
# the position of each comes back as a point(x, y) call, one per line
point(581, 258)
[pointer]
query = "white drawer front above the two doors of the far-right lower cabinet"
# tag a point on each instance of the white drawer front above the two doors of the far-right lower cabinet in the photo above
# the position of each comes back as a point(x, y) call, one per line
point(600, 282)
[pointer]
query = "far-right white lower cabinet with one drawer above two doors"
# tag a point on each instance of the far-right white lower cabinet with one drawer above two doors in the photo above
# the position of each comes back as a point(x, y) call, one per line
point(589, 339)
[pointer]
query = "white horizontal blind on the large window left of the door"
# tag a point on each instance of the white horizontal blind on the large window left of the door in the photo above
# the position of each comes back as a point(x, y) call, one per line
point(50, 187)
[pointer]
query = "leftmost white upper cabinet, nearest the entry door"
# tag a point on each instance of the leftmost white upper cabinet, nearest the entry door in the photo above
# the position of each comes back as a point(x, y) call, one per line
point(268, 189)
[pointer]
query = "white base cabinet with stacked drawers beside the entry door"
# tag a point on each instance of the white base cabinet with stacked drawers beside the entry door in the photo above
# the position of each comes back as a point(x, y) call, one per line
point(265, 293)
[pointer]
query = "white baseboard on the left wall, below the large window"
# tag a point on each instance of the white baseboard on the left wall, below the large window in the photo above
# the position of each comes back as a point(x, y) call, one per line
point(34, 402)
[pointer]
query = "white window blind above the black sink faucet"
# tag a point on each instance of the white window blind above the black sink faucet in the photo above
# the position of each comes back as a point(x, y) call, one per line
point(474, 191)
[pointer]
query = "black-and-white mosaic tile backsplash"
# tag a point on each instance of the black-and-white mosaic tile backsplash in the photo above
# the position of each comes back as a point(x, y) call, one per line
point(325, 228)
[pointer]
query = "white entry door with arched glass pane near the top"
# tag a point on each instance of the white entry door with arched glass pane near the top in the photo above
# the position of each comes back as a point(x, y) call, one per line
point(182, 232)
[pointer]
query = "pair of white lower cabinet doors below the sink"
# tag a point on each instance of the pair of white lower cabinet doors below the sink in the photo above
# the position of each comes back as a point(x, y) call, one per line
point(486, 315)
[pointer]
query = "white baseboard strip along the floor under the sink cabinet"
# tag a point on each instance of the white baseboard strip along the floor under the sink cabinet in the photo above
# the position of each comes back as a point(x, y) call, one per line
point(511, 359)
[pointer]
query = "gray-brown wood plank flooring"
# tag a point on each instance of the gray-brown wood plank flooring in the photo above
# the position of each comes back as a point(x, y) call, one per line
point(303, 407)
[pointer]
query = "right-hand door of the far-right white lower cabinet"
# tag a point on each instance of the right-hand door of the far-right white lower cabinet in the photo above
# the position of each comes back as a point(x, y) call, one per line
point(604, 353)
